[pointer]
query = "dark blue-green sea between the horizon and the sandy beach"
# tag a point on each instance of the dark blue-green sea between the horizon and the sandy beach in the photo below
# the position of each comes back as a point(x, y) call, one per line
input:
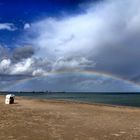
point(123, 99)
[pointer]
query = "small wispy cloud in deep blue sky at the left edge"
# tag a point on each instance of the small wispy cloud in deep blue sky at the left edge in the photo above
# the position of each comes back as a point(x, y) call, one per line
point(7, 26)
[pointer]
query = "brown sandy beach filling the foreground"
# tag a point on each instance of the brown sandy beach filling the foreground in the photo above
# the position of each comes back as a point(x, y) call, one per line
point(54, 120)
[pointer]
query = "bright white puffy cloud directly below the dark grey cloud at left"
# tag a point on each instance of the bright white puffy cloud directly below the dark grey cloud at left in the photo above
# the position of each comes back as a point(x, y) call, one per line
point(29, 66)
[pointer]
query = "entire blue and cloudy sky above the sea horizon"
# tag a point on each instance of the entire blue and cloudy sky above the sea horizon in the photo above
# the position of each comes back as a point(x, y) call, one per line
point(44, 37)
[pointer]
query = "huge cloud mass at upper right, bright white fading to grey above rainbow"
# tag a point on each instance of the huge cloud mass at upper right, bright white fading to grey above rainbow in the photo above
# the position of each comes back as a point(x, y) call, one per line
point(105, 33)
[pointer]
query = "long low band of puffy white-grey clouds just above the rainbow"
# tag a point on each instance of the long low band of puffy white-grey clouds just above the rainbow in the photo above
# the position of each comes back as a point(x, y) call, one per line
point(39, 66)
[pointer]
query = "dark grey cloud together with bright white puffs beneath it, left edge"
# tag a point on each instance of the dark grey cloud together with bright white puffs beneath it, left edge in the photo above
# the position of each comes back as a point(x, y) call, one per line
point(20, 61)
